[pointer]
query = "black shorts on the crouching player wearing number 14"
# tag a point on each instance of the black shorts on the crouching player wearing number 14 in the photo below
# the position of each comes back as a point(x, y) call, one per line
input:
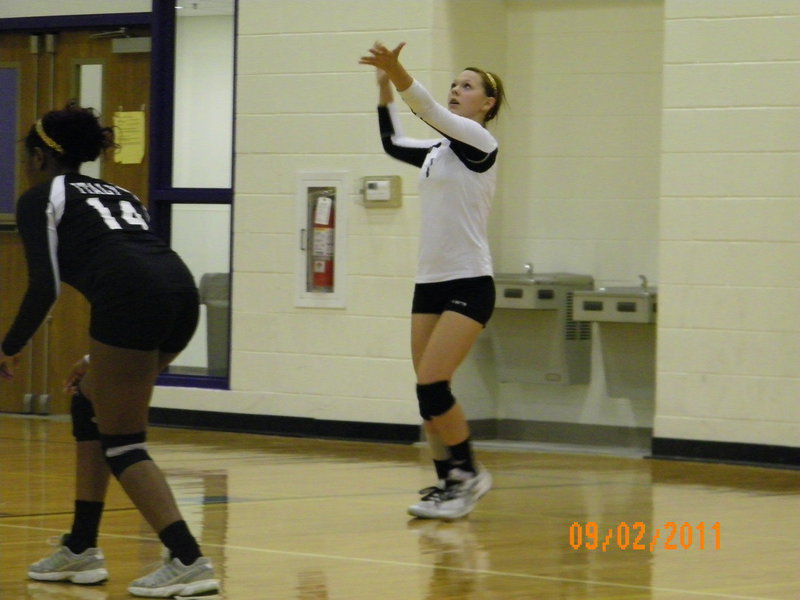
point(163, 321)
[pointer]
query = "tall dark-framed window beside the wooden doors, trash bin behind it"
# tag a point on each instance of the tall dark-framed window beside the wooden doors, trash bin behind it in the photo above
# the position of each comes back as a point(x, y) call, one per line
point(192, 161)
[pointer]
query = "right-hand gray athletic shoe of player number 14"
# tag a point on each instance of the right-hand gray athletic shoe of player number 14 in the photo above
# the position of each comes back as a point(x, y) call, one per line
point(174, 578)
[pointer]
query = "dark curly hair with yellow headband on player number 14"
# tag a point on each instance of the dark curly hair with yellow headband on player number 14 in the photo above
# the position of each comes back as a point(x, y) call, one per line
point(73, 135)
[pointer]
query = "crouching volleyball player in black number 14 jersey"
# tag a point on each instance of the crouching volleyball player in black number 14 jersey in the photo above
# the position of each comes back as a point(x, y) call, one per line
point(95, 236)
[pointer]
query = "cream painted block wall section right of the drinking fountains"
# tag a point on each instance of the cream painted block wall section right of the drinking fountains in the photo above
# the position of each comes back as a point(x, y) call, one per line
point(729, 335)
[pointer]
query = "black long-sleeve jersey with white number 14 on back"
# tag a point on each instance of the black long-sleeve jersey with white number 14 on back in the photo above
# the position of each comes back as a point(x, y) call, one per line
point(94, 236)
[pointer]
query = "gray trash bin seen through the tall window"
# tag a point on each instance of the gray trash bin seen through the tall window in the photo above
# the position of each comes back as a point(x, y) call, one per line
point(215, 293)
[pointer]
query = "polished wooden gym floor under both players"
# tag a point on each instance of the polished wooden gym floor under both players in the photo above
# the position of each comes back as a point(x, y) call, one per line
point(286, 519)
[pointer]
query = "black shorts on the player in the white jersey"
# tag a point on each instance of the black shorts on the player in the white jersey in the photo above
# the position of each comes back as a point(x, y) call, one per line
point(472, 297)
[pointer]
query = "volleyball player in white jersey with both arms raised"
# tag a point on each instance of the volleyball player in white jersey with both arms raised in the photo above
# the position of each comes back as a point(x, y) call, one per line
point(454, 289)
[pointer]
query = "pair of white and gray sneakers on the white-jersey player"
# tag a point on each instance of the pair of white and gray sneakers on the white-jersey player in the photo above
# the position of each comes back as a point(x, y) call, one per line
point(461, 493)
